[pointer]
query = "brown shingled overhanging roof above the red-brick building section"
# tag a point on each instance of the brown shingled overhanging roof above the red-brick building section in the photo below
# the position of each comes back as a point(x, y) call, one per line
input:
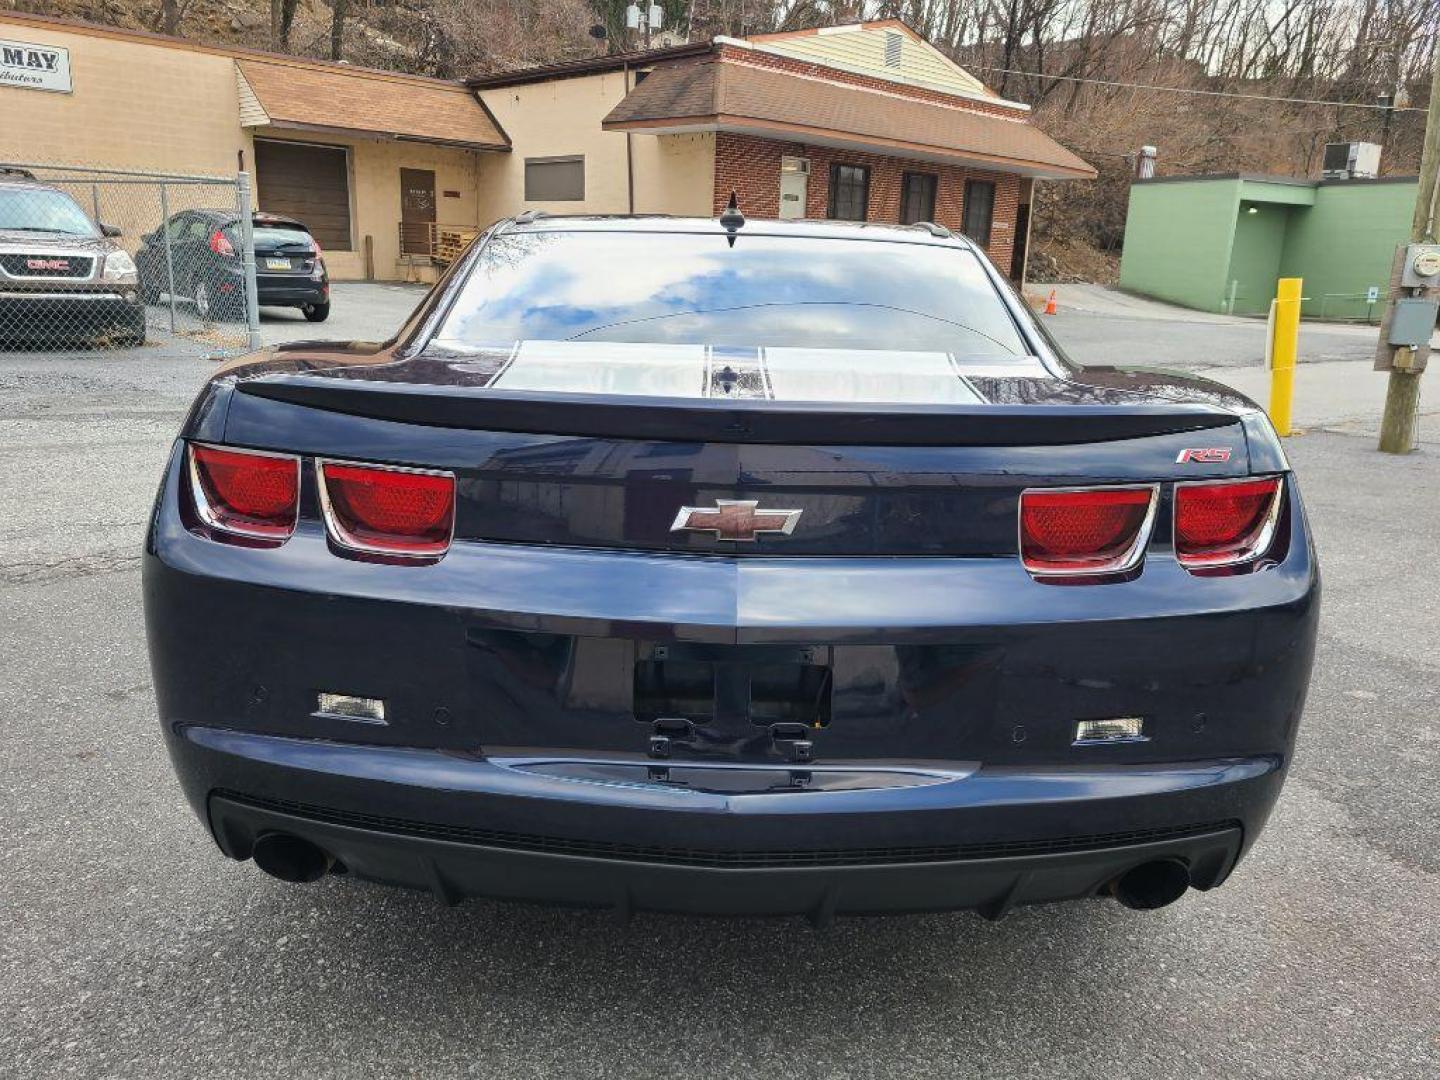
point(721, 94)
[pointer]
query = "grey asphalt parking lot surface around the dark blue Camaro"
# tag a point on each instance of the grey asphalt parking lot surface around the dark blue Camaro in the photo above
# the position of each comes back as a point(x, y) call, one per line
point(135, 950)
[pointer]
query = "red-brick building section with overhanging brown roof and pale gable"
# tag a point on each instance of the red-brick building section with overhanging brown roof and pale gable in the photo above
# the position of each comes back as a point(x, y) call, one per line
point(866, 122)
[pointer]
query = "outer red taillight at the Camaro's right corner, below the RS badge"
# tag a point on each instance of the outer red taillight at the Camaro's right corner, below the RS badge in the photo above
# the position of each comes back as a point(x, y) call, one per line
point(1225, 523)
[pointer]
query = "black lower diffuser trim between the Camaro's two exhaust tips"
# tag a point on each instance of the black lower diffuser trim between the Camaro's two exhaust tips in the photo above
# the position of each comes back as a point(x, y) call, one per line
point(454, 870)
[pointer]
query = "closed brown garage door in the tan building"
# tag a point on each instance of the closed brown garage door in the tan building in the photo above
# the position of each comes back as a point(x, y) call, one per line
point(307, 184)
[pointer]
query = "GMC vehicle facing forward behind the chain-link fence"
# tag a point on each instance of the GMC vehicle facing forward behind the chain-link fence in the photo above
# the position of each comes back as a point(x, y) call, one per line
point(63, 277)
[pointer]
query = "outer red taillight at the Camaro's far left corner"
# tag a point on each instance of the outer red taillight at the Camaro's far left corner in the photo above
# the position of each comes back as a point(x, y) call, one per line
point(247, 493)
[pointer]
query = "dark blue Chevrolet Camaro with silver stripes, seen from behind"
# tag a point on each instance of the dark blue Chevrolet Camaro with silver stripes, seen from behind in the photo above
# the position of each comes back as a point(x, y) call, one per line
point(732, 568)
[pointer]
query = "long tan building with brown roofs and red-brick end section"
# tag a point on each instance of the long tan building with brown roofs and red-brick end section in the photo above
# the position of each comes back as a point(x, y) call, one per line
point(392, 171)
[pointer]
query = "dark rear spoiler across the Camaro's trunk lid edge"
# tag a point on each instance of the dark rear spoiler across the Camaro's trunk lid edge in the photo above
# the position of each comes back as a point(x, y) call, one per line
point(800, 424)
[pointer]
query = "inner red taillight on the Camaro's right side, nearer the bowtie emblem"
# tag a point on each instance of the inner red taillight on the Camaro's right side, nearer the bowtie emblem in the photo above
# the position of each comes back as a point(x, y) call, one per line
point(1085, 531)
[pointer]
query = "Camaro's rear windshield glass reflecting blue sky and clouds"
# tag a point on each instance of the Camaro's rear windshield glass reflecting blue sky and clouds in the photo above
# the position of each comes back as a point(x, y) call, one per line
point(765, 292)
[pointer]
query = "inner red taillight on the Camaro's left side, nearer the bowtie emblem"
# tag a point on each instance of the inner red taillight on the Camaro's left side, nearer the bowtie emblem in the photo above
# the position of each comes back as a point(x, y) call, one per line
point(388, 510)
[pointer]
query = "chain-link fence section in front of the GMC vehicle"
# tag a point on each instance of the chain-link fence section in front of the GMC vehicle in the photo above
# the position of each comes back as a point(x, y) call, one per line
point(106, 258)
